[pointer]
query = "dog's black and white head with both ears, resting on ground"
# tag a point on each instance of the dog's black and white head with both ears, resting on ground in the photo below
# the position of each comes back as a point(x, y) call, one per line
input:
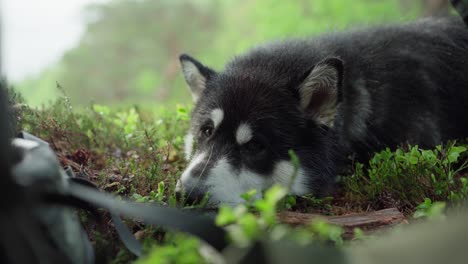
point(245, 121)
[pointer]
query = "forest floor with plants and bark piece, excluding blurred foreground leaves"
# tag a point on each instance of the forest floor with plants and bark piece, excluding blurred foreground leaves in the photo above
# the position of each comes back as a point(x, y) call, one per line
point(138, 153)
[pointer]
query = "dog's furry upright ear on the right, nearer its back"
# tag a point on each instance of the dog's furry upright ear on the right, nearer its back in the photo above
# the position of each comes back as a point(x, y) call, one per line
point(319, 90)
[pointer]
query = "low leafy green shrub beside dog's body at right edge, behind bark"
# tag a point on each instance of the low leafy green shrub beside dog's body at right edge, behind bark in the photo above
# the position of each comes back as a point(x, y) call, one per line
point(408, 176)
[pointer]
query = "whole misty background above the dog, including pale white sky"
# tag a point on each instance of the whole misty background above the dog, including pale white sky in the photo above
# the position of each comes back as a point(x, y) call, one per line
point(126, 51)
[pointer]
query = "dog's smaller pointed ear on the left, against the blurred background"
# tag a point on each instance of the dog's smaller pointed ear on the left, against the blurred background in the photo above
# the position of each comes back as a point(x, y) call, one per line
point(196, 75)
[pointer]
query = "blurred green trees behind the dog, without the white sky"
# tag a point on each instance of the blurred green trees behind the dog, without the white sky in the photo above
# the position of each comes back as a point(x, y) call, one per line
point(129, 51)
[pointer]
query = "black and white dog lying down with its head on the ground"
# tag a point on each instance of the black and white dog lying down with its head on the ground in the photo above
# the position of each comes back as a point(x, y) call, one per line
point(325, 98)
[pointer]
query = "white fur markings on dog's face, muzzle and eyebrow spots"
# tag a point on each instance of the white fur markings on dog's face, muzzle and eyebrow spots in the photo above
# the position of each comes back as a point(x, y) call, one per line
point(226, 183)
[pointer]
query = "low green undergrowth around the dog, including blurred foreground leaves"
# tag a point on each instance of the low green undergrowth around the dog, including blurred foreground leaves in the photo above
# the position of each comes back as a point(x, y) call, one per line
point(137, 153)
